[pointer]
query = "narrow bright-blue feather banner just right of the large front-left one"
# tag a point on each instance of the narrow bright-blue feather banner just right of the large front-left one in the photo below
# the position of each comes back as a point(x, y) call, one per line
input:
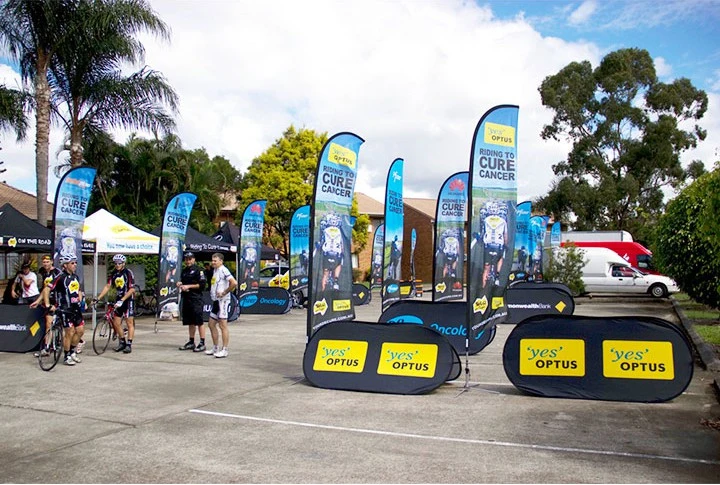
point(393, 239)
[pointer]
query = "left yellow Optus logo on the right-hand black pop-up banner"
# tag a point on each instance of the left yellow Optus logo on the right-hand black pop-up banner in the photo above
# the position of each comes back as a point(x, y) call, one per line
point(552, 357)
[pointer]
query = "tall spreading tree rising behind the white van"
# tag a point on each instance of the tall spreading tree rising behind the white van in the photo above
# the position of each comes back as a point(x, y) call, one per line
point(626, 141)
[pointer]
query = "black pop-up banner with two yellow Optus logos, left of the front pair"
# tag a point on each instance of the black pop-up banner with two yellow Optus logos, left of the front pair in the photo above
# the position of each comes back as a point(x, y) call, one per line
point(372, 357)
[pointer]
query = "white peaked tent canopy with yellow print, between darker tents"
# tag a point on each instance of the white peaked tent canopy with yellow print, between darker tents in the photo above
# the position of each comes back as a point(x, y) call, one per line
point(113, 235)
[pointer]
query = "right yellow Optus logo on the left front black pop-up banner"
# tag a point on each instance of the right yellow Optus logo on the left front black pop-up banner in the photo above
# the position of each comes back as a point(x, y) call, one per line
point(410, 360)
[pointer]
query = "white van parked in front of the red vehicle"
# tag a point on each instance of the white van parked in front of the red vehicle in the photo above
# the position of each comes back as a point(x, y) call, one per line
point(607, 272)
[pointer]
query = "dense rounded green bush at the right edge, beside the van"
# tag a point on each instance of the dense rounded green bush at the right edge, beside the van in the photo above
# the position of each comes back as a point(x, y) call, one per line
point(687, 246)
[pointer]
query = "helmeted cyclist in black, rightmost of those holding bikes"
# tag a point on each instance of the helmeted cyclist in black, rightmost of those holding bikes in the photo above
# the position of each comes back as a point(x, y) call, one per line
point(124, 282)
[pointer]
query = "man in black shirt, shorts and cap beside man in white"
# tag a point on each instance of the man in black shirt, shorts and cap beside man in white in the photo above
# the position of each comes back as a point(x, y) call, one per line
point(191, 285)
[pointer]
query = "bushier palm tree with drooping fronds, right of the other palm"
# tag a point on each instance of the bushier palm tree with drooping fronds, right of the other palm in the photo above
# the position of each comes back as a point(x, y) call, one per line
point(86, 74)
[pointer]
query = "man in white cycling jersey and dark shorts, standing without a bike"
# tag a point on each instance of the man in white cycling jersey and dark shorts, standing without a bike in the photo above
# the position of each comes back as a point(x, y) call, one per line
point(221, 285)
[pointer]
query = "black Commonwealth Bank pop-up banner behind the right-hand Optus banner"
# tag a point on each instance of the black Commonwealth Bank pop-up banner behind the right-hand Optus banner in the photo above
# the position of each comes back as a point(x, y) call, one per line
point(530, 299)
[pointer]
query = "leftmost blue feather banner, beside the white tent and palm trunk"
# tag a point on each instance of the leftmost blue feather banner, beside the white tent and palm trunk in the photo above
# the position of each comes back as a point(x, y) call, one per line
point(71, 203)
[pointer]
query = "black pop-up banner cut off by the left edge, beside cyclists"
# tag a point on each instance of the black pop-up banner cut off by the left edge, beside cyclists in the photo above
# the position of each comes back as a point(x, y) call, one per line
point(21, 328)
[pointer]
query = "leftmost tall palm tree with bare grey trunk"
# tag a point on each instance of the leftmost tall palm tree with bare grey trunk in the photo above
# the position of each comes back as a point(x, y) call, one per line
point(32, 30)
